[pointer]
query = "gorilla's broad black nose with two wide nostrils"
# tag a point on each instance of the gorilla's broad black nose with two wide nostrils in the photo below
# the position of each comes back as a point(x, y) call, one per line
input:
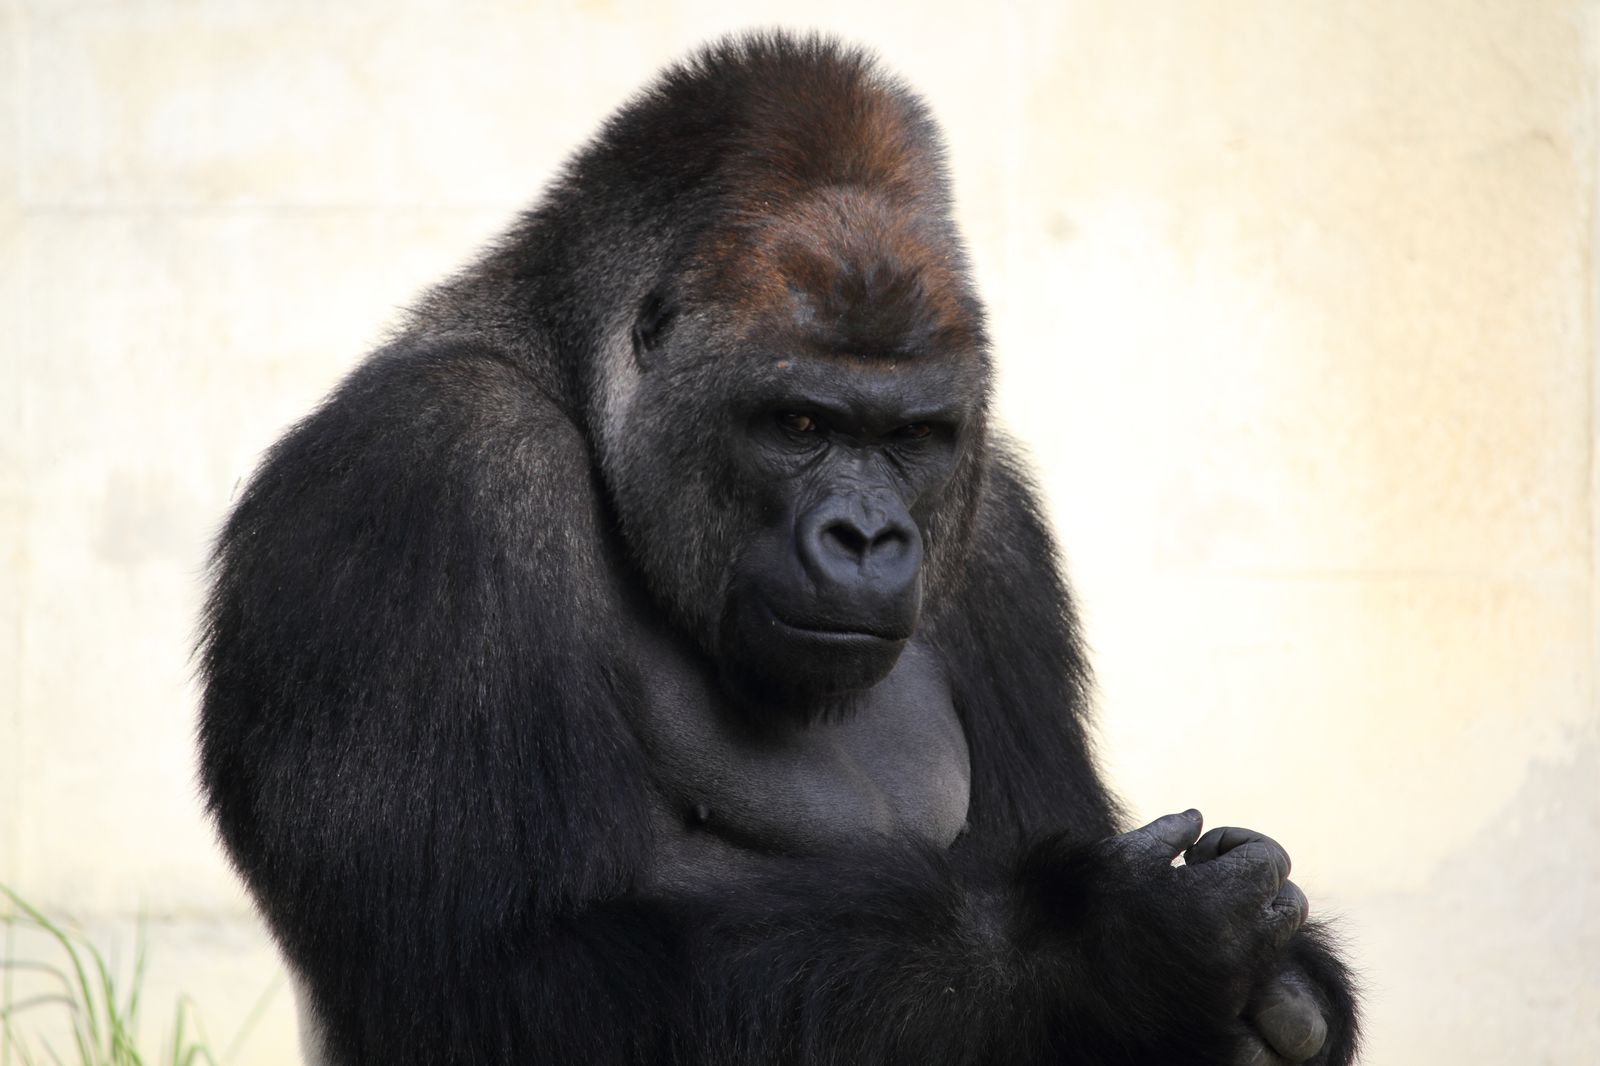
point(862, 550)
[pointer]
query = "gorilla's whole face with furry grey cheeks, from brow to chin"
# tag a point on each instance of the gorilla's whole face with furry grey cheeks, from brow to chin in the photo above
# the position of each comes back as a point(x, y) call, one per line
point(783, 500)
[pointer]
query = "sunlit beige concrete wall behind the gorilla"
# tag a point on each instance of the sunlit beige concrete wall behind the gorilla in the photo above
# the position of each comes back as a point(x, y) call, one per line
point(1295, 305)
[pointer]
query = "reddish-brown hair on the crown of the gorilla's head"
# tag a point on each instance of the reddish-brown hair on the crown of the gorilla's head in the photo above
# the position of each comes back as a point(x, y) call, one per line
point(836, 207)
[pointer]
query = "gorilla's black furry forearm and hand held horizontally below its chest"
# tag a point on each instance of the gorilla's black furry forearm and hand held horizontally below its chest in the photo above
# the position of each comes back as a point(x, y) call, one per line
point(1078, 955)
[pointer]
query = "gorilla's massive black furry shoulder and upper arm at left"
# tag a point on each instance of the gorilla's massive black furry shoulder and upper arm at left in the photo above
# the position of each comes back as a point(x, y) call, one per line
point(409, 734)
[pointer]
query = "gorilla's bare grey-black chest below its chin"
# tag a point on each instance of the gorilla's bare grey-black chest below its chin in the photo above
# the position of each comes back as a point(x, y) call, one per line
point(729, 788)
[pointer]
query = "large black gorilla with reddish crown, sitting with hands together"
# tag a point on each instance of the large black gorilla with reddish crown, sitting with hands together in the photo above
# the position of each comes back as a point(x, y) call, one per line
point(654, 655)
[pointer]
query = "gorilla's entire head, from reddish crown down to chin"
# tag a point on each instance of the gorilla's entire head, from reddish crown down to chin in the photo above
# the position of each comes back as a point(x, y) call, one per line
point(793, 412)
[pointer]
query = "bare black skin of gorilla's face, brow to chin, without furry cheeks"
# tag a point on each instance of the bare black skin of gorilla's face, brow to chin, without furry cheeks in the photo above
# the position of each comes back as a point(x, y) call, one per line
point(846, 462)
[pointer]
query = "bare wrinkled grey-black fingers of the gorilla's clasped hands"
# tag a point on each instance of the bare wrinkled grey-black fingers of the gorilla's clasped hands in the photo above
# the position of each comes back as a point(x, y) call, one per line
point(1236, 886)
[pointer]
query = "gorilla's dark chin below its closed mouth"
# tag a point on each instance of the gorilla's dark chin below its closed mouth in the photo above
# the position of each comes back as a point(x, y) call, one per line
point(794, 667)
